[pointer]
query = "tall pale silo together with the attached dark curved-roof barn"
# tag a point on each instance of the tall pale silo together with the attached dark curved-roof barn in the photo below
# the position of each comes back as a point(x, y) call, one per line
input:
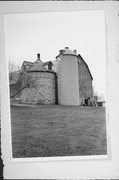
point(74, 78)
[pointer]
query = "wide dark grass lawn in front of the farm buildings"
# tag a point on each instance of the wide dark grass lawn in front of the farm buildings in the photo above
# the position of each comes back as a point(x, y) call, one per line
point(54, 130)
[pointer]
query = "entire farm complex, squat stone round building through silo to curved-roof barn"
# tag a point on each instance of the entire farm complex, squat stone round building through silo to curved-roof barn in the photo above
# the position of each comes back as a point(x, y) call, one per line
point(67, 81)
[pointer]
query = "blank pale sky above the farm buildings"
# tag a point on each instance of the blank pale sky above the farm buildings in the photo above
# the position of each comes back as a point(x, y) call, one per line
point(28, 34)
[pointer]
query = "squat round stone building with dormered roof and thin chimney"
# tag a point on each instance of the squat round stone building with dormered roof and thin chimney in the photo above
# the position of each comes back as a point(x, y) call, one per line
point(37, 83)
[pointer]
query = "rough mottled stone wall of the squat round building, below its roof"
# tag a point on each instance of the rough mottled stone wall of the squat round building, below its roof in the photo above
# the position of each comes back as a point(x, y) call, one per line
point(41, 89)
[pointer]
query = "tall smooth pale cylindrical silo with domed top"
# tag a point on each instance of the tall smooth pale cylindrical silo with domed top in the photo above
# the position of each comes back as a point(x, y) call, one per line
point(68, 80)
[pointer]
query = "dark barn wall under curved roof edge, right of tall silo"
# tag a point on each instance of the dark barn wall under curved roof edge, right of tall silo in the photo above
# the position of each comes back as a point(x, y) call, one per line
point(85, 80)
